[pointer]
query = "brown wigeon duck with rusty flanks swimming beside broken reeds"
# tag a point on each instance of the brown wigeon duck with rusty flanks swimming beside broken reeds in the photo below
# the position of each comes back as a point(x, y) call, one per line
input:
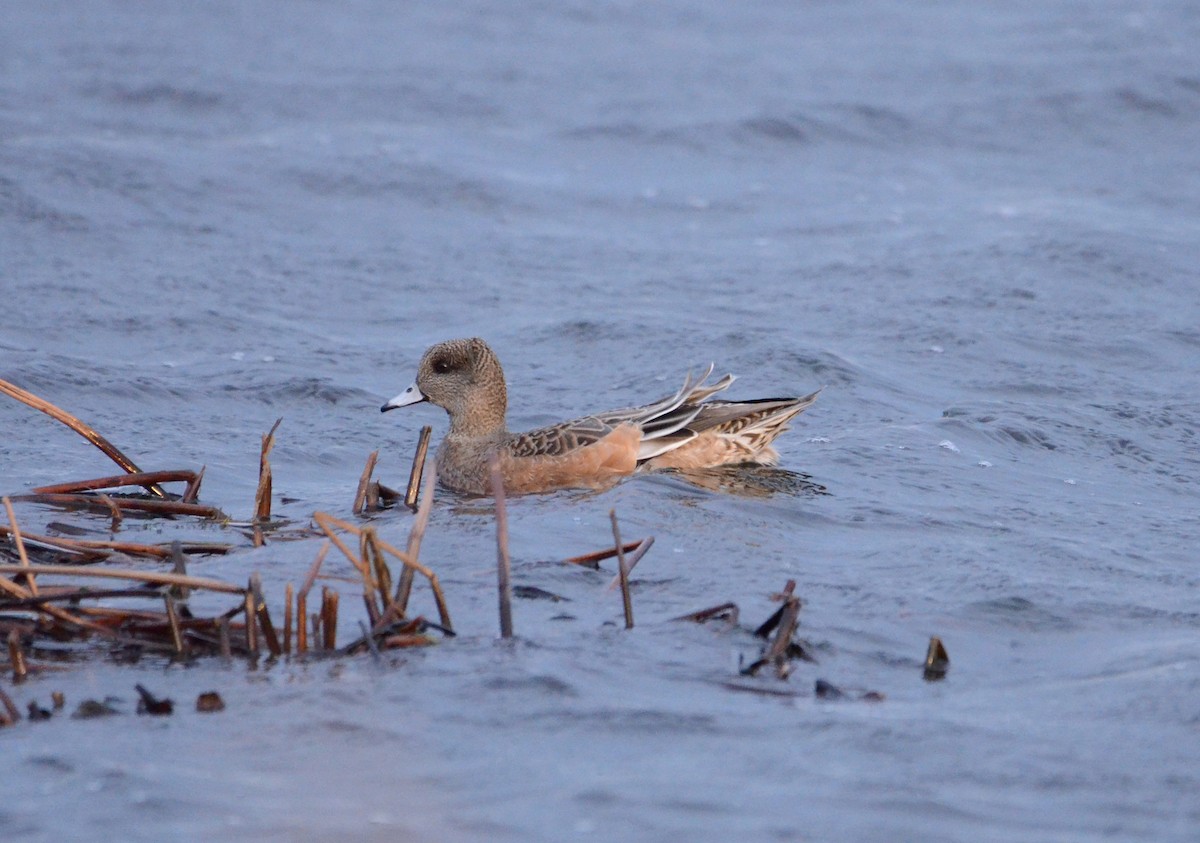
point(681, 432)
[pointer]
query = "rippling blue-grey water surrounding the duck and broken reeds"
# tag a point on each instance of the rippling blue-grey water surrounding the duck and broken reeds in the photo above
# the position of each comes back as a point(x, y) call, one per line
point(976, 225)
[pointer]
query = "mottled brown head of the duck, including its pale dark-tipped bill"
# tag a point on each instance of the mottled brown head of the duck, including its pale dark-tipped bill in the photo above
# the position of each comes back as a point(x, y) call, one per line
point(466, 380)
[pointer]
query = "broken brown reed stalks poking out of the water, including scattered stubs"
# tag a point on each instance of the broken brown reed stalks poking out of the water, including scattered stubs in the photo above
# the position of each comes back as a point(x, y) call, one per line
point(62, 589)
